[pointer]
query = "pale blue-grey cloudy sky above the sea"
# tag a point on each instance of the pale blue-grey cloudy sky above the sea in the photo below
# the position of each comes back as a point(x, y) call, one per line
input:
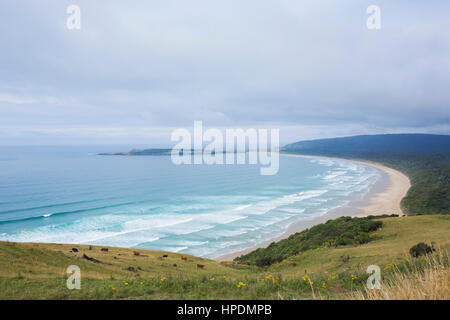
point(137, 70)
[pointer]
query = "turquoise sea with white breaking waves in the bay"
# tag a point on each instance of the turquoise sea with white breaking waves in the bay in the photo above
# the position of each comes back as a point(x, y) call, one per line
point(72, 195)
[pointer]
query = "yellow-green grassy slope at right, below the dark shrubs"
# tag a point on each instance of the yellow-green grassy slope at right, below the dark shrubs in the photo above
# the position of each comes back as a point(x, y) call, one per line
point(398, 235)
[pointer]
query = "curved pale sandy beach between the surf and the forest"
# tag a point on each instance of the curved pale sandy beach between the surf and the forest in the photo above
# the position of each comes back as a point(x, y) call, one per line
point(383, 197)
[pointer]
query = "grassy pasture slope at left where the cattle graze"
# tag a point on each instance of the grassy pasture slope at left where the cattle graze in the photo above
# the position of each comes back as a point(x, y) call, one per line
point(42, 260)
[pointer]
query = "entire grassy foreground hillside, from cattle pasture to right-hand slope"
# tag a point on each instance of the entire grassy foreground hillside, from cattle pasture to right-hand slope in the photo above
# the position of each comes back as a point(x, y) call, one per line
point(37, 271)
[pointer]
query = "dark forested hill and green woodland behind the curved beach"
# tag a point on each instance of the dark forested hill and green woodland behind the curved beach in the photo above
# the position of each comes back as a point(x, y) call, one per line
point(425, 158)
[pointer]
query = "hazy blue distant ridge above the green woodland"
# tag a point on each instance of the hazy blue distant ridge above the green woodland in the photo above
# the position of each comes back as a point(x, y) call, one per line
point(372, 144)
